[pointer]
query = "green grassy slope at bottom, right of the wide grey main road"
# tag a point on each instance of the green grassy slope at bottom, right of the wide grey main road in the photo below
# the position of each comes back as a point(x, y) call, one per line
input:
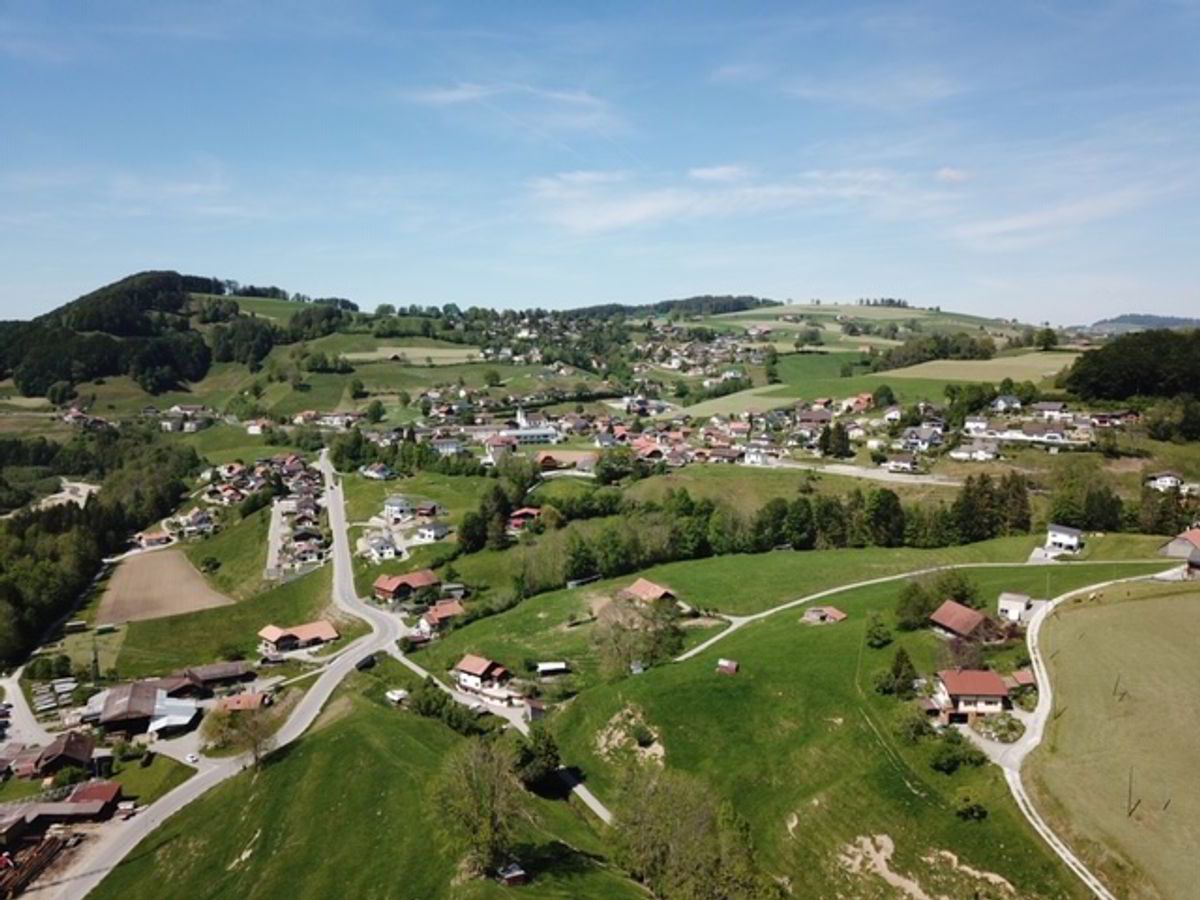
point(363, 775)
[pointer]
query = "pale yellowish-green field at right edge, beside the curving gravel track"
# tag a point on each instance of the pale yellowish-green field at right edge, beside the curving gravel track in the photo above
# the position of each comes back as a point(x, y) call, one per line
point(1148, 724)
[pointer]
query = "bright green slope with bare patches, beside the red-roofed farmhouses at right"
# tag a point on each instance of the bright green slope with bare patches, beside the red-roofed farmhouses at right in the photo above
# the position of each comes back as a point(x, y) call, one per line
point(805, 749)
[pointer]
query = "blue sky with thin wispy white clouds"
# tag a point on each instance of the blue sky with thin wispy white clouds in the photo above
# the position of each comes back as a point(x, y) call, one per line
point(1030, 160)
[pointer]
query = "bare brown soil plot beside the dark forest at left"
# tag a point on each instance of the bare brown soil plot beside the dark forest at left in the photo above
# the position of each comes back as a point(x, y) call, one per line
point(151, 586)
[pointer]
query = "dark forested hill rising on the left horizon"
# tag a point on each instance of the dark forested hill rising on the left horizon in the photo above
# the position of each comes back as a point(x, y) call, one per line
point(160, 328)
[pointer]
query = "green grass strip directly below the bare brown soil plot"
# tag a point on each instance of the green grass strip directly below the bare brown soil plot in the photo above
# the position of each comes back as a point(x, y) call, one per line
point(161, 646)
